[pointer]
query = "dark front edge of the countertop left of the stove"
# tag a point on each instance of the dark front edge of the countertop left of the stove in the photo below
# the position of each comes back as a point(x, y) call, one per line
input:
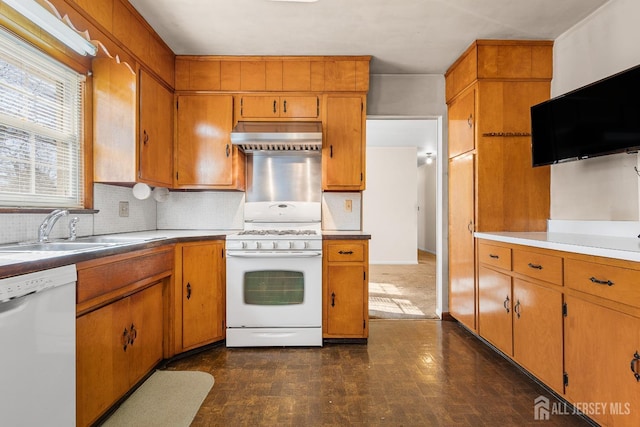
point(59, 260)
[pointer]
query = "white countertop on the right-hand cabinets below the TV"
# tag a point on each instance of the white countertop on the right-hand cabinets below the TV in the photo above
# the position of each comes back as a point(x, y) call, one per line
point(625, 248)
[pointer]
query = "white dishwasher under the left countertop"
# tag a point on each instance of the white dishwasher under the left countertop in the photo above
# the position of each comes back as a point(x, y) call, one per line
point(37, 348)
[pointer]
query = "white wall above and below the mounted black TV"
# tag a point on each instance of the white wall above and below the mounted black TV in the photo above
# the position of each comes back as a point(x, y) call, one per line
point(604, 188)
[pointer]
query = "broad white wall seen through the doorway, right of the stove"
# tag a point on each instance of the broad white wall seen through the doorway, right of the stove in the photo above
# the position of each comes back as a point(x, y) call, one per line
point(390, 205)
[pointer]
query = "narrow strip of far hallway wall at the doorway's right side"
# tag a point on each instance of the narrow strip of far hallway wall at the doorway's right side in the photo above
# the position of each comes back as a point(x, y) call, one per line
point(427, 207)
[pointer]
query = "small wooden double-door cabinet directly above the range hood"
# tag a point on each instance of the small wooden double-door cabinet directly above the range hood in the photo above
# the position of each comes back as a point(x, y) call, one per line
point(274, 106)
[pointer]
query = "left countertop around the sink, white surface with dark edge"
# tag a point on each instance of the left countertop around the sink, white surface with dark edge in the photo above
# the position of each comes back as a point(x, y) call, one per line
point(15, 263)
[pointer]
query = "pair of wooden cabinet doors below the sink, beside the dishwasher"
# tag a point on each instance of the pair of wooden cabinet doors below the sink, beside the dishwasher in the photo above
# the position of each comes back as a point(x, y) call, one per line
point(117, 345)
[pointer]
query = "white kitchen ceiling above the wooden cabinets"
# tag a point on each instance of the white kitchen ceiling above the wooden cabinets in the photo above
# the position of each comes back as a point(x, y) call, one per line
point(403, 36)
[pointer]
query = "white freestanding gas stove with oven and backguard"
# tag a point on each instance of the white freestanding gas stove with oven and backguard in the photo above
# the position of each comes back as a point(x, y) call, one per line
point(274, 276)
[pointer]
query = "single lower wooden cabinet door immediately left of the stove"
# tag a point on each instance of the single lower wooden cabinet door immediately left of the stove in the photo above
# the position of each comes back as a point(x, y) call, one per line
point(199, 295)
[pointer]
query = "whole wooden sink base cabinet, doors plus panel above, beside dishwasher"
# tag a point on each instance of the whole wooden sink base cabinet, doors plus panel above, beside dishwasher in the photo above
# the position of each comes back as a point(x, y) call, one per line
point(120, 326)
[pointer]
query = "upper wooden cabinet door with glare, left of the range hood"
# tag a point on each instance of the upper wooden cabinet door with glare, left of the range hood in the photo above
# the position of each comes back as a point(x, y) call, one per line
point(204, 152)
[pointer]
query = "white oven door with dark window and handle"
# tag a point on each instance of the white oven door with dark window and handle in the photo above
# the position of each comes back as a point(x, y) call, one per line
point(274, 289)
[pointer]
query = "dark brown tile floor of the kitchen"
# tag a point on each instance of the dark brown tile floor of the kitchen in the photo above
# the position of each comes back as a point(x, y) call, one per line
point(411, 373)
